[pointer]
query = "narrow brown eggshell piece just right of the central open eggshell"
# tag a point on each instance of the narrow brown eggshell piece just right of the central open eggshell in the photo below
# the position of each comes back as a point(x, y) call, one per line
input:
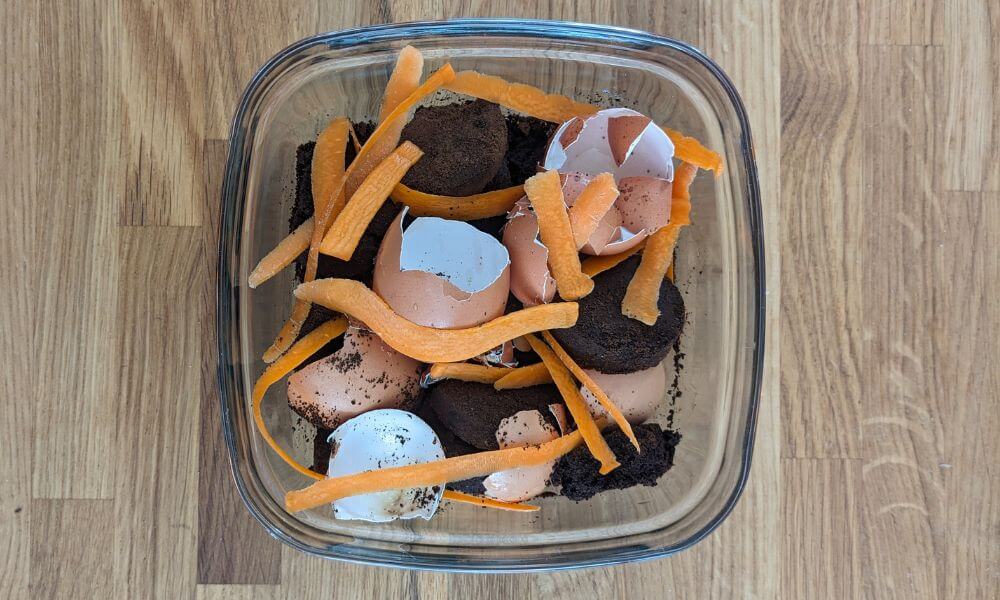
point(530, 279)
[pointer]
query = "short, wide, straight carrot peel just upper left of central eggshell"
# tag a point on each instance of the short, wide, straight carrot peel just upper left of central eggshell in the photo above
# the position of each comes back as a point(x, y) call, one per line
point(346, 231)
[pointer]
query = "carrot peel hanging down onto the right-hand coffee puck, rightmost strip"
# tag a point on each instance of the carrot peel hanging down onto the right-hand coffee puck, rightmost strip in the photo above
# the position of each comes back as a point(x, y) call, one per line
point(643, 292)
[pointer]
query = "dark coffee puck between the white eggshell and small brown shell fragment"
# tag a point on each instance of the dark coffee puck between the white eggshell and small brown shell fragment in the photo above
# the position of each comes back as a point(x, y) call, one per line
point(473, 411)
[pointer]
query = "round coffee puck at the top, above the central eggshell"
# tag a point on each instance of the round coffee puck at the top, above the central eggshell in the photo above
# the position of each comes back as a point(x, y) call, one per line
point(464, 146)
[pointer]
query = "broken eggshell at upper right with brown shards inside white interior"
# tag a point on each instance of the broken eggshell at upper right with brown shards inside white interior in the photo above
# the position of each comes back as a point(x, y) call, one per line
point(637, 153)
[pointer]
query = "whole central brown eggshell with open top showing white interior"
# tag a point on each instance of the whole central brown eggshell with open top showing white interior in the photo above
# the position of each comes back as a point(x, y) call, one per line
point(442, 273)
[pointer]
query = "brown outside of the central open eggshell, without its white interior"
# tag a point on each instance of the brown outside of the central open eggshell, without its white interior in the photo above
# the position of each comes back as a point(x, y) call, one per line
point(431, 300)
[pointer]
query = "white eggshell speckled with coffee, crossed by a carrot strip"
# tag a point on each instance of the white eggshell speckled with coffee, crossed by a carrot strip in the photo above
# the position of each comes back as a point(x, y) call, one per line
point(380, 439)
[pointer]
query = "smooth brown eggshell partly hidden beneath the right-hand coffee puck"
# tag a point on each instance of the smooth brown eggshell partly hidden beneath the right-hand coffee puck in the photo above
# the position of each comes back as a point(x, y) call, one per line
point(636, 394)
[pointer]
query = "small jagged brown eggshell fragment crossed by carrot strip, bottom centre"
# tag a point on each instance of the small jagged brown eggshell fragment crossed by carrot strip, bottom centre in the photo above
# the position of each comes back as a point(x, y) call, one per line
point(515, 485)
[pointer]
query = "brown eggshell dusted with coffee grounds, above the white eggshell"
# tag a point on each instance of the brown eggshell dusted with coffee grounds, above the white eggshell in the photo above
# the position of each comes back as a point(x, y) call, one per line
point(363, 375)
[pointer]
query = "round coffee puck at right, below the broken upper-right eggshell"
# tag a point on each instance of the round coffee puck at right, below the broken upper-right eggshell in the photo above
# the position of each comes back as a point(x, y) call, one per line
point(605, 339)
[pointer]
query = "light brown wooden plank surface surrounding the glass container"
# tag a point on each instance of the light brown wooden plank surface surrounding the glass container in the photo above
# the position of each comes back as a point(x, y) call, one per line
point(877, 127)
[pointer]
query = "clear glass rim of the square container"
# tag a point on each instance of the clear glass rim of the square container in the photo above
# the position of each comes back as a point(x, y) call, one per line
point(227, 308)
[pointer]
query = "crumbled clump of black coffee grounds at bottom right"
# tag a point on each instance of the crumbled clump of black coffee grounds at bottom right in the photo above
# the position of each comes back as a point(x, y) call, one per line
point(578, 472)
